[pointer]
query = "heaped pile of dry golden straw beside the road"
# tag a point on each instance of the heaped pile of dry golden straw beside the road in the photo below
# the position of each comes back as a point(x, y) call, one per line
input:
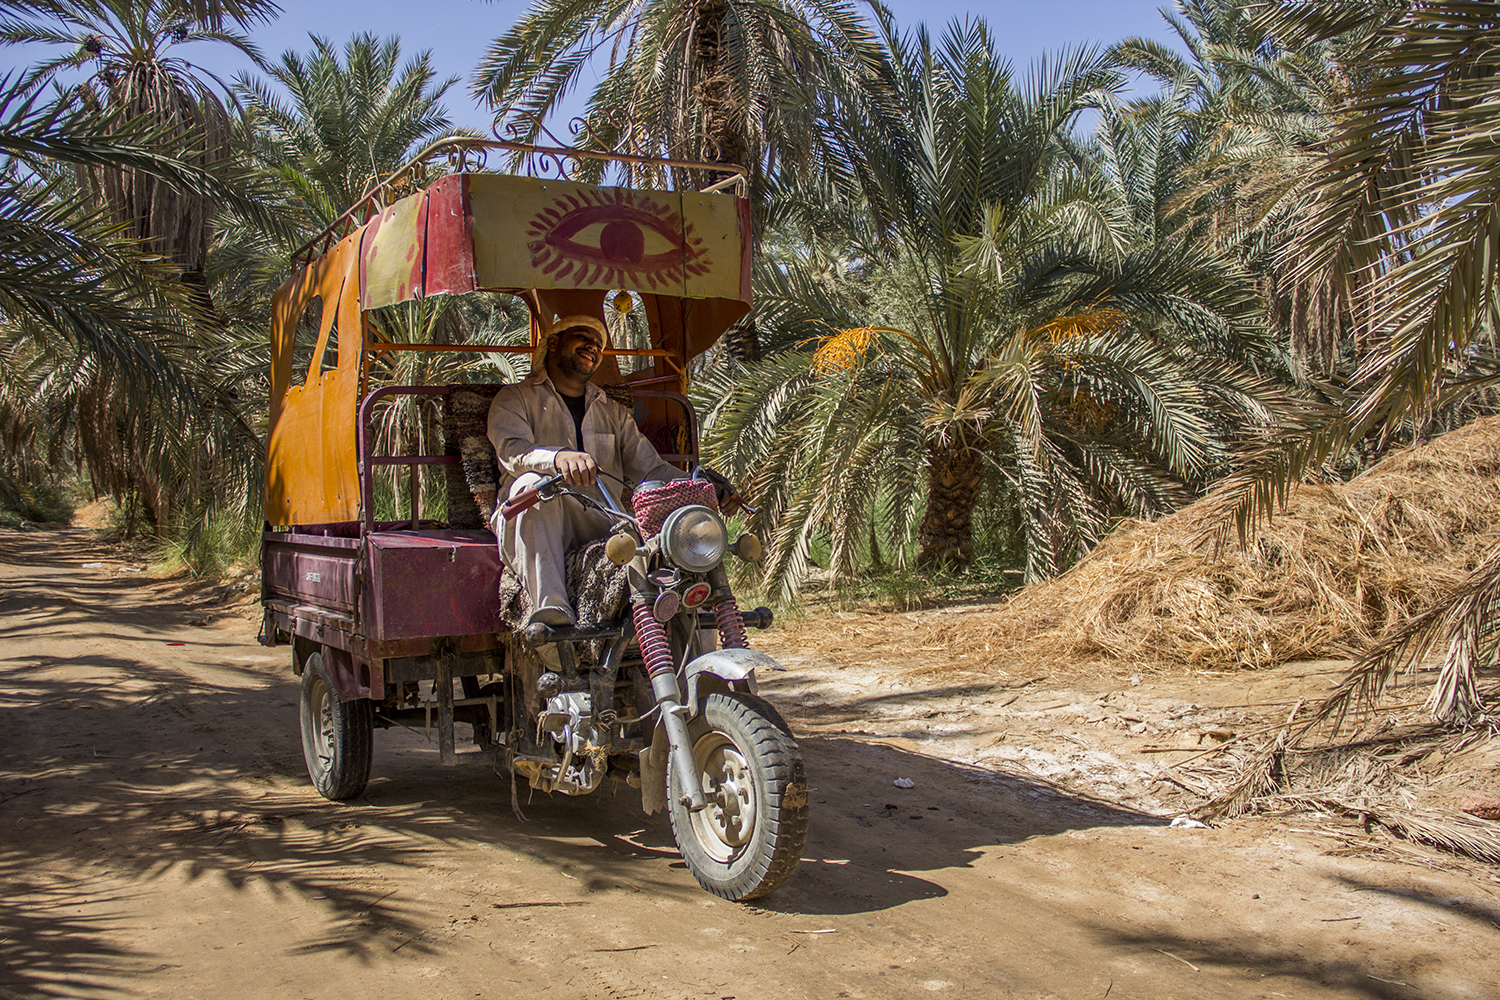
point(1331, 572)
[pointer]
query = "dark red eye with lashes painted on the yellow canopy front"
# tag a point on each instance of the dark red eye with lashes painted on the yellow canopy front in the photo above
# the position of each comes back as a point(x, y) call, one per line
point(616, 238)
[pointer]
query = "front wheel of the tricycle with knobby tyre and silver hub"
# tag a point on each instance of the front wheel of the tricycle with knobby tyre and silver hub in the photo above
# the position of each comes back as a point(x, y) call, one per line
point(749, 839)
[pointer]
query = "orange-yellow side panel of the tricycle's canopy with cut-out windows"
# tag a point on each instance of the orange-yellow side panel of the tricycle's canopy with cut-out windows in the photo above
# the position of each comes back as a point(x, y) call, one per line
point(311, 455)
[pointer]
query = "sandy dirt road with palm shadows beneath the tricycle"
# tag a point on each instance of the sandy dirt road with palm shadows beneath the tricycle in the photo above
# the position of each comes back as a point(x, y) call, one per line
point(158, 837)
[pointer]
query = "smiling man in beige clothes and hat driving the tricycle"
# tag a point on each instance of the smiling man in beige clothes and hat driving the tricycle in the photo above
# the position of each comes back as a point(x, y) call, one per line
point(556, 422)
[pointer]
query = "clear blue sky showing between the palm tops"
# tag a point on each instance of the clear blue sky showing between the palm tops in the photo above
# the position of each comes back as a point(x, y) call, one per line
point(458, 32)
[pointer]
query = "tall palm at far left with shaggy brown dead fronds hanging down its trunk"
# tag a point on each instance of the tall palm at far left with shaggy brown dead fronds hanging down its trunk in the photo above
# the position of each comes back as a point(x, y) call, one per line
point(140, 100)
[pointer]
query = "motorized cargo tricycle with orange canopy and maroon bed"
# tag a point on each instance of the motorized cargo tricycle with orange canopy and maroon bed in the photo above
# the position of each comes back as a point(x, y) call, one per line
point(401, 623)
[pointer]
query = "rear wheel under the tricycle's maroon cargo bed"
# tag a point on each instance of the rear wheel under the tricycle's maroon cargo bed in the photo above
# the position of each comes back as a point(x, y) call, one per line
point(338, 738)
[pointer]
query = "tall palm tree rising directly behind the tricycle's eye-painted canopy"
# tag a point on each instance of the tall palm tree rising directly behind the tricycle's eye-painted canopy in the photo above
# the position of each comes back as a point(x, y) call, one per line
point(725, 82)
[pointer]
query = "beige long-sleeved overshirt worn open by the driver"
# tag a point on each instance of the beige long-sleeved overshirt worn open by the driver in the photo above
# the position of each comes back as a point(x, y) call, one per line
point(530, 424)
